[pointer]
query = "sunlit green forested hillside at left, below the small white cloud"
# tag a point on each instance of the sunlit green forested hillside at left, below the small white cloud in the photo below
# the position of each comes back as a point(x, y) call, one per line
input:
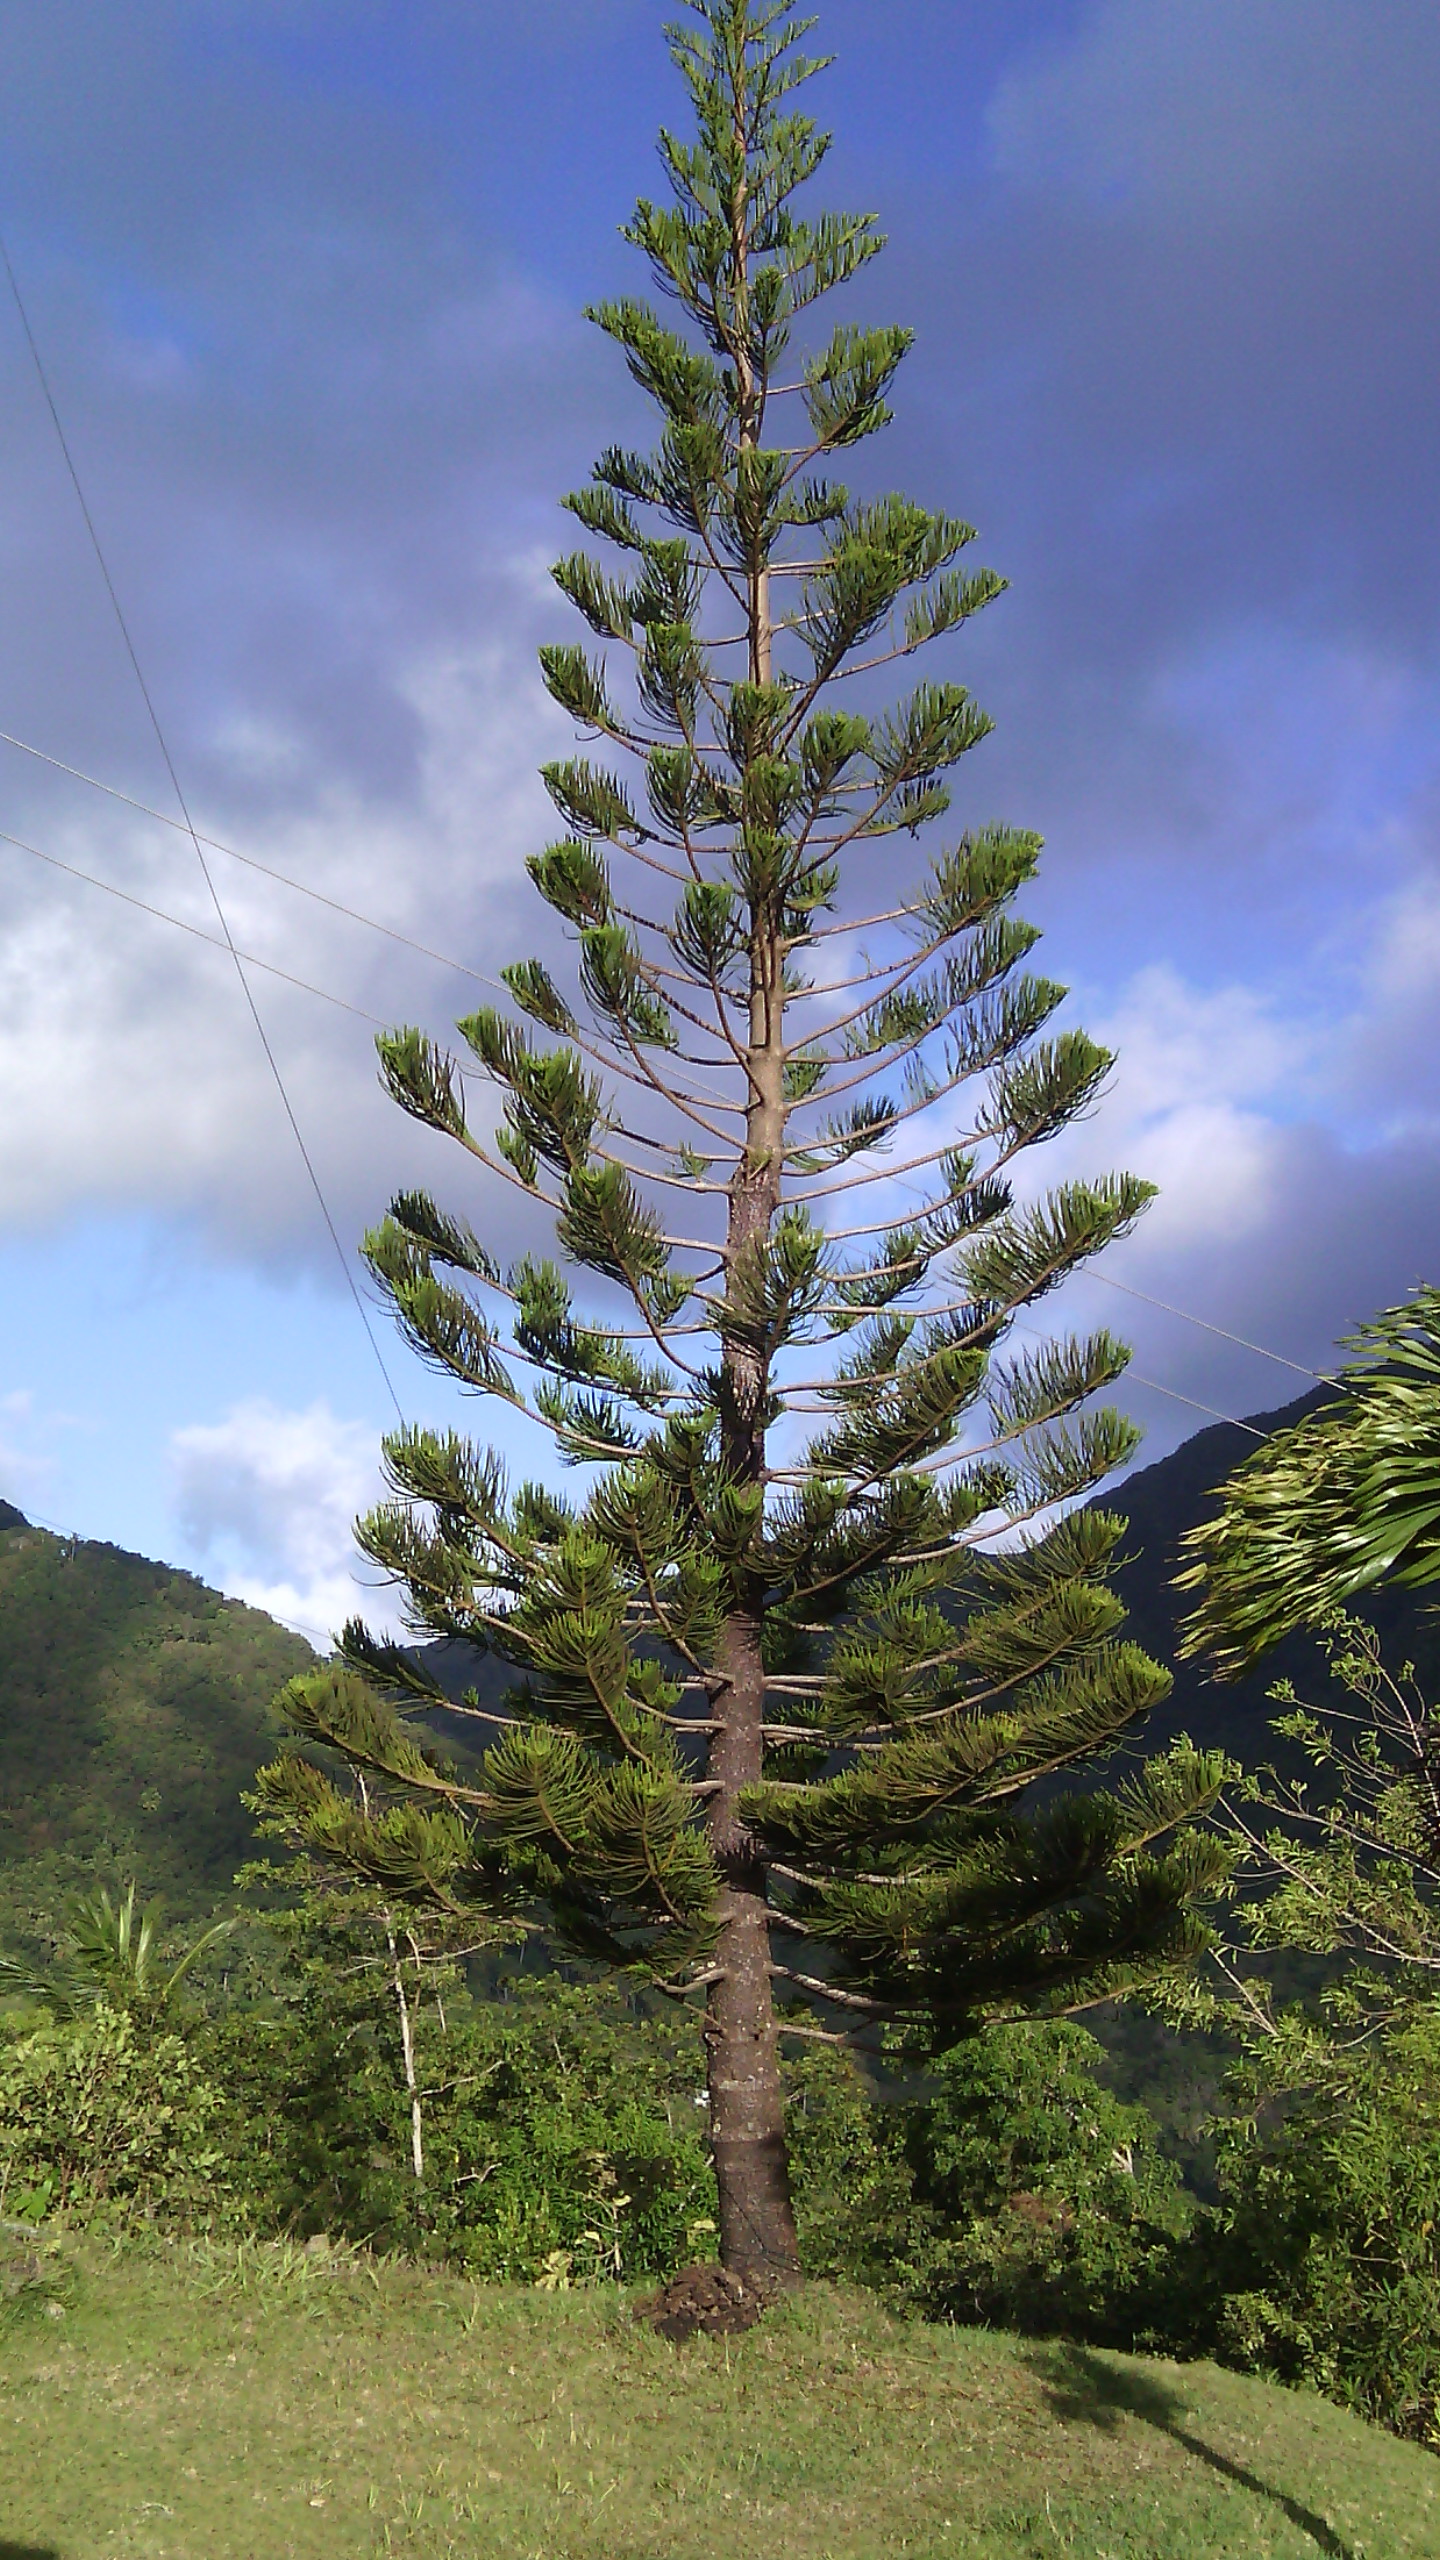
point(135, 1706)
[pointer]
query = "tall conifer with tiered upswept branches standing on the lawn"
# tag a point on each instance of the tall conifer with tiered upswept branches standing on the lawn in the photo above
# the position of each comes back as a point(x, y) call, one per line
point(780, 1696)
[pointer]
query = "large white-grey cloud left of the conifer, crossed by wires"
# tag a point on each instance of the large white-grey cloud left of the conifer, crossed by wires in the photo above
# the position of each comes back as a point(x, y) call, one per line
point(140, 1069)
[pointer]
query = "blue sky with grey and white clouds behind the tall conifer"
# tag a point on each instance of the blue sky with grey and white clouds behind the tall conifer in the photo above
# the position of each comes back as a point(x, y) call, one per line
point(309, 280)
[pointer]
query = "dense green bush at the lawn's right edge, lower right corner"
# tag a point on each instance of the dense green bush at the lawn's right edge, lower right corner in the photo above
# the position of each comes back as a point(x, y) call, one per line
point(1326, 2257)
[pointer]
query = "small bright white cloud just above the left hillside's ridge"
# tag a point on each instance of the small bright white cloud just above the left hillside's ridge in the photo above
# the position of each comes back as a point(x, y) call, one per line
point(273, 1499)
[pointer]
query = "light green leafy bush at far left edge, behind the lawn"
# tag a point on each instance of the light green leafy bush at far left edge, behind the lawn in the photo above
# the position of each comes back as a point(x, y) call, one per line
point(109, 2118)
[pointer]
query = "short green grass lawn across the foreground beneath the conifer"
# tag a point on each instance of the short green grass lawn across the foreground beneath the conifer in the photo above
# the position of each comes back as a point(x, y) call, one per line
point(252, 2405)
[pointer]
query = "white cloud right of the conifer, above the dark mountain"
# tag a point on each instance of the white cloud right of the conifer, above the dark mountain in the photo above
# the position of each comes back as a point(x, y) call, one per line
point(1290, 1207)
